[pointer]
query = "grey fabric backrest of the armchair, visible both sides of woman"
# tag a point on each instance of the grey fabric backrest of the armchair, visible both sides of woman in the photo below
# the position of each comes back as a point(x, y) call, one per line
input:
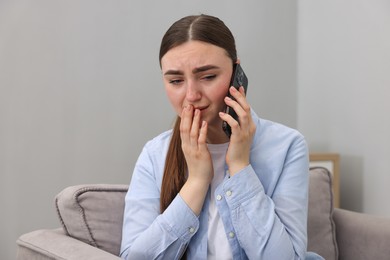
point(90, 213)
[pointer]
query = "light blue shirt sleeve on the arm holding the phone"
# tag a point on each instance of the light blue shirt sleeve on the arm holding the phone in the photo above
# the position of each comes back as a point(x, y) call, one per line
point(272, 226)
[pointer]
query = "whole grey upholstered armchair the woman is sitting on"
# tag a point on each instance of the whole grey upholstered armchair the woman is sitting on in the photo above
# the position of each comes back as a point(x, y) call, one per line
point(91, 218)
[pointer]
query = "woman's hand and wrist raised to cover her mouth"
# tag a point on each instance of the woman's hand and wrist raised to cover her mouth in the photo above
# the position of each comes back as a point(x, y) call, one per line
point(193, 135)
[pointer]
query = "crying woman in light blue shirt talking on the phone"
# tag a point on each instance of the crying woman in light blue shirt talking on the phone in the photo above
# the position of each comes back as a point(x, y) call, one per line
point(197, 194)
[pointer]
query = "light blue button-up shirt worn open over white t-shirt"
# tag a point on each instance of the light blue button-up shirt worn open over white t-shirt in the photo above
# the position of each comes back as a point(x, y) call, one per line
point(263, 207)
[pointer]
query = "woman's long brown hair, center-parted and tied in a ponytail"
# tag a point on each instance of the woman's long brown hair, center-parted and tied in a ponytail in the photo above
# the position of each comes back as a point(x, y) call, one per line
point(203, 28)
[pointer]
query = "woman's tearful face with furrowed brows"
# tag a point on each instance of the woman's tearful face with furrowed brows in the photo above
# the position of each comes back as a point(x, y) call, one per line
point(198, 74)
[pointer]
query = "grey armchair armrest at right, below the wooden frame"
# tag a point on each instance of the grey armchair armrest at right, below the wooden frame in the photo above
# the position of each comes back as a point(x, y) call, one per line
point(361, 236)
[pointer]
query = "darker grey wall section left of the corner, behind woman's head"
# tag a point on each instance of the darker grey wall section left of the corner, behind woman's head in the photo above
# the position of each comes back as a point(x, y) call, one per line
point(81, 91)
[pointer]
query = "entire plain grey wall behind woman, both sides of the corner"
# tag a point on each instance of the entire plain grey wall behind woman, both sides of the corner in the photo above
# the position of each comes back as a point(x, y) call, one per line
point(81, 91)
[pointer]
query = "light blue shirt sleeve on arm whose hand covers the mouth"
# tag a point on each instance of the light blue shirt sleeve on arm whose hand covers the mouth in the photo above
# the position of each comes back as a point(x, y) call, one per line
point(146, 233)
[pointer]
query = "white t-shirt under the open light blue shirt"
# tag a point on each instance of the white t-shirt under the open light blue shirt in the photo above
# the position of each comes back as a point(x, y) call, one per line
point(217, 244)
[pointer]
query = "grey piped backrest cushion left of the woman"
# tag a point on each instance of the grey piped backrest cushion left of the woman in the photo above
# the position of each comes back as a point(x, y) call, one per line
point(90, 213)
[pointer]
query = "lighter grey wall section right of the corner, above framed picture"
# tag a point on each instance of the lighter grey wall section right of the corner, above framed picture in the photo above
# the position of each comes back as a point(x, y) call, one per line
point(344, 91)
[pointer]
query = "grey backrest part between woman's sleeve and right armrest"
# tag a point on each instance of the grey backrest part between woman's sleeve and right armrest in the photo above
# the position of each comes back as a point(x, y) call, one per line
point(321, 227)
